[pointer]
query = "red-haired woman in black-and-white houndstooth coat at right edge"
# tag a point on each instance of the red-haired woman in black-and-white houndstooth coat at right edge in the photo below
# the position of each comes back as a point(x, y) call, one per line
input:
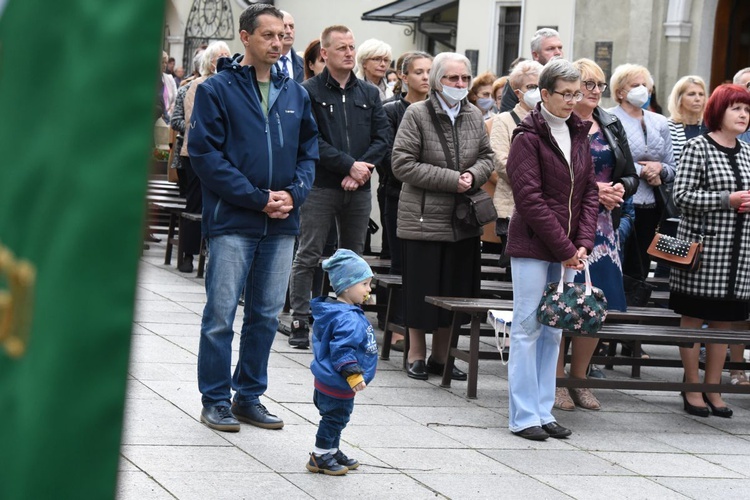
point(711, 189)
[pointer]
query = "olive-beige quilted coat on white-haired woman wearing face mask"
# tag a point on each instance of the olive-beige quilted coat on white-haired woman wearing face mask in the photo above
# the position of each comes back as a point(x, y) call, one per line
point(428, 194)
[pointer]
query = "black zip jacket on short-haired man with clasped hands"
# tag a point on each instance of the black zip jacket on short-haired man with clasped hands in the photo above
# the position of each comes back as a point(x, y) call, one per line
point(351, 123)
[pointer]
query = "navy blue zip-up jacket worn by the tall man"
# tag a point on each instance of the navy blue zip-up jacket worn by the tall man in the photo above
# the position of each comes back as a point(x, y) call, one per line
point(240, 154)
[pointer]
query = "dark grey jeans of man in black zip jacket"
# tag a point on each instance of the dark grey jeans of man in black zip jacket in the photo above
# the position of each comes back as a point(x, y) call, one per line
point(322, 208)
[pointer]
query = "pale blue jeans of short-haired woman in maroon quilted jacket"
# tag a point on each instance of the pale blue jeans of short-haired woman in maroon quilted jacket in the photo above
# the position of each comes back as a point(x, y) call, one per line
point(534, 347)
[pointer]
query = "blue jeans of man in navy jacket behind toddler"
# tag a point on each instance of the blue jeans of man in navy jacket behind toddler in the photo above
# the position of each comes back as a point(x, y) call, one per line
point(261, 265)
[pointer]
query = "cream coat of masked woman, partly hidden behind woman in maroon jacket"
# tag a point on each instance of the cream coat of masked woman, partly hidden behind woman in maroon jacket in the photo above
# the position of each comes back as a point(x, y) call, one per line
point(500, 136)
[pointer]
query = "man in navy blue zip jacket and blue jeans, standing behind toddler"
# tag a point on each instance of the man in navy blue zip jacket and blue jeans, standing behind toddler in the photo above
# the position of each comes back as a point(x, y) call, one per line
point(253, 143)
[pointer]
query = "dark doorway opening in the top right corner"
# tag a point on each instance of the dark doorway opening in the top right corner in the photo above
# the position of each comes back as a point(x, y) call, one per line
point(731, 50)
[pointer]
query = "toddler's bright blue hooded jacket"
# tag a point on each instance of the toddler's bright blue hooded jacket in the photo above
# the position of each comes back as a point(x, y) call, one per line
point(342, 335)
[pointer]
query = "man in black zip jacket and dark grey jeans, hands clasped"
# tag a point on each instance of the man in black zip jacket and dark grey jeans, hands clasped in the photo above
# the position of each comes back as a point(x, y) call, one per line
point(352, 140)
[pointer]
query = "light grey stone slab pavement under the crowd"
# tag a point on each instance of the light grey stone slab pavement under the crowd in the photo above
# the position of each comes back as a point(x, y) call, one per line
point(414, 439)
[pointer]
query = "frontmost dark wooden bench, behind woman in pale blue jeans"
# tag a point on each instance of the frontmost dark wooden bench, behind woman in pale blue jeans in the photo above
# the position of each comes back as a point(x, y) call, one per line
point(651, 325)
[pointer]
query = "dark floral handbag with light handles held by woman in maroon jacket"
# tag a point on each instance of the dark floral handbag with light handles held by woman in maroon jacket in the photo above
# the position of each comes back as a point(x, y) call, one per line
point(575, 307)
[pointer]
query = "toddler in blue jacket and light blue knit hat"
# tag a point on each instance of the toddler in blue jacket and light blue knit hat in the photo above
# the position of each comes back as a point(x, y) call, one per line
point(346, 356)
